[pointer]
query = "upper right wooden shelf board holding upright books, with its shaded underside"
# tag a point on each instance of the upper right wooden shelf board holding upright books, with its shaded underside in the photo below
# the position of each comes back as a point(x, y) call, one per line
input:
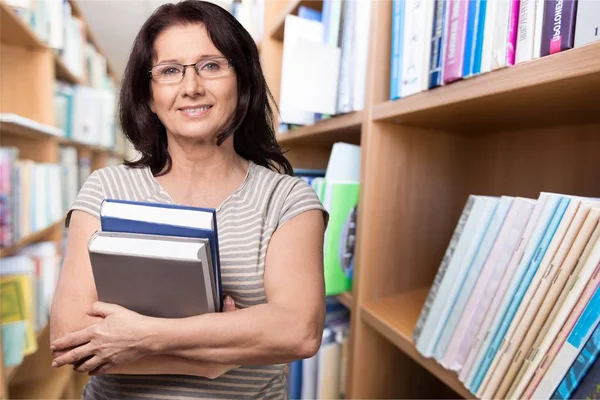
point(556, 89)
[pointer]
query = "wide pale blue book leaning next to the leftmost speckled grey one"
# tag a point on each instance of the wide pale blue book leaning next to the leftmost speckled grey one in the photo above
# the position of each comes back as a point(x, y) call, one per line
point(449, 289)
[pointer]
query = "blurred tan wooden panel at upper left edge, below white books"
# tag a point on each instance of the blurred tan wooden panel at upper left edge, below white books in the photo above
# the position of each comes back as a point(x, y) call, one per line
point(27, 78)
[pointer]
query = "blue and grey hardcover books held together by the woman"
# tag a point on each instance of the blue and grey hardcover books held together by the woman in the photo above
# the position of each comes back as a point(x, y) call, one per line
point(157, 259)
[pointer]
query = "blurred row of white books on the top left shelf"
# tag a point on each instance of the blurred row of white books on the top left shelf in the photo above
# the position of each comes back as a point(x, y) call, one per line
point(56, 26)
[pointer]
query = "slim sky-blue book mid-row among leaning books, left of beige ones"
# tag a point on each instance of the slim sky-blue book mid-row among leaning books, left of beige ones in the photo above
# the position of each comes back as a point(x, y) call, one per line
point(486, 354)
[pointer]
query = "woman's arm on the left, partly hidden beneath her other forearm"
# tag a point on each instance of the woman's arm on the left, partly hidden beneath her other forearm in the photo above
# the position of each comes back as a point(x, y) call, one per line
point(76, 293)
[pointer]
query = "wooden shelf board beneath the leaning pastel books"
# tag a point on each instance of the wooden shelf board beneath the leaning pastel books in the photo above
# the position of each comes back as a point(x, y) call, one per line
point(395, 318)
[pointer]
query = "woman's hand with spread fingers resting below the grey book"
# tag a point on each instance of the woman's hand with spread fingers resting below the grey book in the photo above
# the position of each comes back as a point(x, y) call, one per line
point(119, 338)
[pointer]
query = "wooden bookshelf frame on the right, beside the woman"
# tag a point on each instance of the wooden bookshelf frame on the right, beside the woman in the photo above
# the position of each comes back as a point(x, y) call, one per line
point(515, 131)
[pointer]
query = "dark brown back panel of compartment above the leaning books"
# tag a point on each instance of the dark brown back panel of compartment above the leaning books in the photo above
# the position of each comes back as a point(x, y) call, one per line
point(524, 163)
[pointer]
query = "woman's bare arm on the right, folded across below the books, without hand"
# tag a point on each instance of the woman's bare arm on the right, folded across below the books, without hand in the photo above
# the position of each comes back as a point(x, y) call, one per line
point(289, 326)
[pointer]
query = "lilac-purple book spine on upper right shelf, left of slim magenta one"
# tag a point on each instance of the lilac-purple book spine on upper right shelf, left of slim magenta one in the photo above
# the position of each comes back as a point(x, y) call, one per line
point(455, 40)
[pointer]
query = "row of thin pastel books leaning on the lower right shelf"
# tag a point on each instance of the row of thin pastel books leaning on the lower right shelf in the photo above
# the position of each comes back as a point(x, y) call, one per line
point(515, 306)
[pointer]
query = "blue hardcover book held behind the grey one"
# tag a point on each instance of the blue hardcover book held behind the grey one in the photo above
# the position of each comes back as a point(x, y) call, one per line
point(152, 219)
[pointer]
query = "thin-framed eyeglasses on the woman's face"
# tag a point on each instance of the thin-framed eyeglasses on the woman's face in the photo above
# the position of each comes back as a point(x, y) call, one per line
point(206, 69)
